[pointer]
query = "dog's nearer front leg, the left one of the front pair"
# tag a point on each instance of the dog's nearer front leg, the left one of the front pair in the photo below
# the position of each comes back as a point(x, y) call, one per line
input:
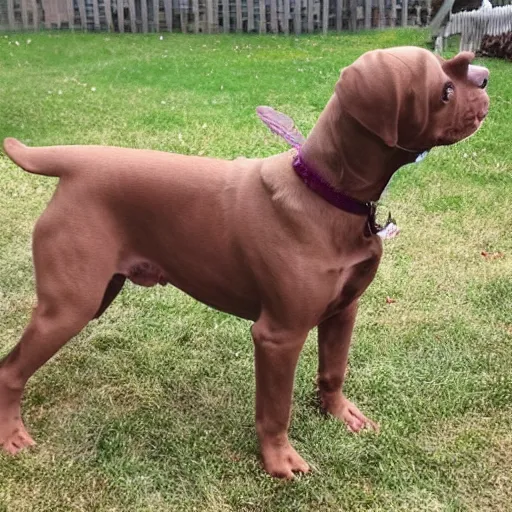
point(276, 353)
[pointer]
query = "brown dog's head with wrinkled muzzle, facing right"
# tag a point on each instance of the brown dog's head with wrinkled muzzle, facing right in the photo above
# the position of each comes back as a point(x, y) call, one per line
point(412, 99)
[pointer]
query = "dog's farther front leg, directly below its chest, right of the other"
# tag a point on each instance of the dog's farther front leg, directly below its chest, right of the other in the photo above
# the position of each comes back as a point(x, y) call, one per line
point(334, 336)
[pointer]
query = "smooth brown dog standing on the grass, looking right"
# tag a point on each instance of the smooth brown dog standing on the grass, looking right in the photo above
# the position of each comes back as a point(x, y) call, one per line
point(252, 237)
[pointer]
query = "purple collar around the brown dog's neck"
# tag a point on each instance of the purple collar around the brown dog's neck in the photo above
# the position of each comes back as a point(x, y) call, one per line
point(338, 199)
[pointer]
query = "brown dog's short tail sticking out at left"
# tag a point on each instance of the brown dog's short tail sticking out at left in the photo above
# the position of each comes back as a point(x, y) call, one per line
point(42, 160)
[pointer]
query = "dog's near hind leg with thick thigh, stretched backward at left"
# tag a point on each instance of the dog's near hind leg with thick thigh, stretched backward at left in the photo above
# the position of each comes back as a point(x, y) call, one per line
point(72, 275)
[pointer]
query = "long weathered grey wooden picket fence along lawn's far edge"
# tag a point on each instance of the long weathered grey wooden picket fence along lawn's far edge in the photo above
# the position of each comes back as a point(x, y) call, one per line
point(210, 16)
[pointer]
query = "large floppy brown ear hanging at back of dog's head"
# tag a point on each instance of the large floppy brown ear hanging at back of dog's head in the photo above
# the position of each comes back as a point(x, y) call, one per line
point(372, 91)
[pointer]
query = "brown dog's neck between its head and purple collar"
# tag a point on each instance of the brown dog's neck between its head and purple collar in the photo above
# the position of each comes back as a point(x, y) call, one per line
point(349, 157)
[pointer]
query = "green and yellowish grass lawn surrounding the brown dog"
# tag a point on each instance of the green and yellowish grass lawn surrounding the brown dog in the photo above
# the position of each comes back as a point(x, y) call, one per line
point(151, 408)
